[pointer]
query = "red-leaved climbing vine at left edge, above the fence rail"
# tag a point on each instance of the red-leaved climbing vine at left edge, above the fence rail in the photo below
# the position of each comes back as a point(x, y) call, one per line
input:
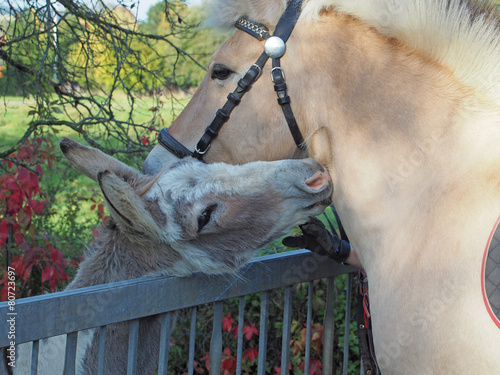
point(38, 265)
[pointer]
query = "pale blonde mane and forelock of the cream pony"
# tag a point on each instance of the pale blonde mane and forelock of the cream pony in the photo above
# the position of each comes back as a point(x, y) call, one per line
point(462, 35)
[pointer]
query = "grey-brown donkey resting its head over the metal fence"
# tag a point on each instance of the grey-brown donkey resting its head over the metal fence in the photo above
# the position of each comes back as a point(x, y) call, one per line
point(191, 217)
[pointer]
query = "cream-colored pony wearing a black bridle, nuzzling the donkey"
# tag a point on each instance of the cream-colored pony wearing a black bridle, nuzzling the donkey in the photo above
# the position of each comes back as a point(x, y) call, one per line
point(400, 99)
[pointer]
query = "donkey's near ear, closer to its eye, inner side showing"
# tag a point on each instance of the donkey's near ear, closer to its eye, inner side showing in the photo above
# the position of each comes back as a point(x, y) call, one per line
point(126, 207)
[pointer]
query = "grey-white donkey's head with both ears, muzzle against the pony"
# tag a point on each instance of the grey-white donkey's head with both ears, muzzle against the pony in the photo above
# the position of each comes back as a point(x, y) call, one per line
point(210, 217)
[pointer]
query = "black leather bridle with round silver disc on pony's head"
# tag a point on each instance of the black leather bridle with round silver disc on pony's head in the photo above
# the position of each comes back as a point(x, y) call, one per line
point(274, 48)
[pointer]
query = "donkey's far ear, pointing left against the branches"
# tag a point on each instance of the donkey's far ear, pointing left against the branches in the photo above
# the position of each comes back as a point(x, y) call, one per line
point(90, 160)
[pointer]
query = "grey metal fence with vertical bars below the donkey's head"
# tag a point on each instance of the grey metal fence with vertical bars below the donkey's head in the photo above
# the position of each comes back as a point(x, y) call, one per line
point(69, 312)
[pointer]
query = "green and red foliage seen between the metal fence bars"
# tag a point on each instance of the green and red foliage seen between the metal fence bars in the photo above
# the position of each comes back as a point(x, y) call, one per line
point(179, 344)
